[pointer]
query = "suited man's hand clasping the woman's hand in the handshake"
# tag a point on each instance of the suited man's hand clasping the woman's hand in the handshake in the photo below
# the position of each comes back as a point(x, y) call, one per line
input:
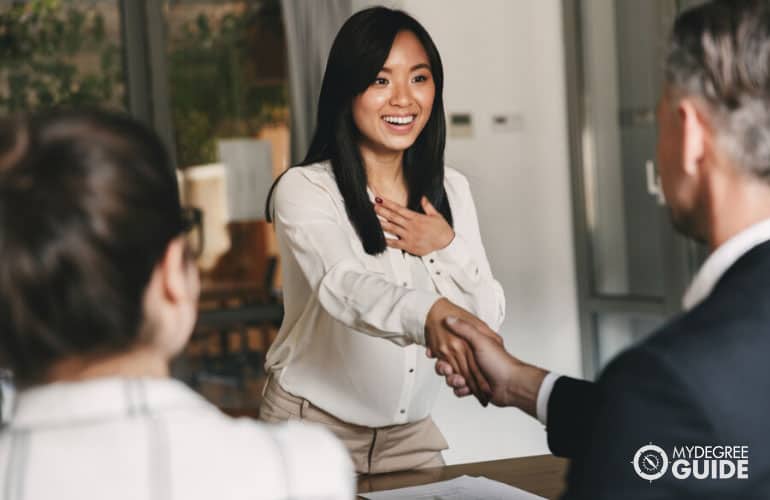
point(512, 382)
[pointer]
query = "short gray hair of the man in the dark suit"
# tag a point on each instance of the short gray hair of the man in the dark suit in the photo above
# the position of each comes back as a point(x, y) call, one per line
point(720, 53)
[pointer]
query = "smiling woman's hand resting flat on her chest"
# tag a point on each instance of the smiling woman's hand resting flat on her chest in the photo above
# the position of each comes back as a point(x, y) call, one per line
point(419, 234)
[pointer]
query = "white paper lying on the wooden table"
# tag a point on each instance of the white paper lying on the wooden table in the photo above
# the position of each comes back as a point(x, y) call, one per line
point(461, 488)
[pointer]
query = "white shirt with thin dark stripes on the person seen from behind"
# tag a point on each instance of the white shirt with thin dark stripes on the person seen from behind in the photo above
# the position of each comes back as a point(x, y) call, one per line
point(156, 439)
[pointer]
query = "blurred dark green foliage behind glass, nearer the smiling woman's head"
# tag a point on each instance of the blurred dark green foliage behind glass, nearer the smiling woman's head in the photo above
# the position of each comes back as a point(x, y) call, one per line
point(217, 88)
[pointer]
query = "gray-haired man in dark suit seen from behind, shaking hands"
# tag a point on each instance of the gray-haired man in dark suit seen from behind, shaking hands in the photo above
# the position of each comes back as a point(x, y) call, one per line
point(682, 414)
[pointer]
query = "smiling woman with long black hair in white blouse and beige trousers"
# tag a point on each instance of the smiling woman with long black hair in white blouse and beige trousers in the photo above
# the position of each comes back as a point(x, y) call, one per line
point(379, 241)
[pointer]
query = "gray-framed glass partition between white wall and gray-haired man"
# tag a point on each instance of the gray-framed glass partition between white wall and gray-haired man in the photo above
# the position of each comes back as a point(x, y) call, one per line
point(632, 266)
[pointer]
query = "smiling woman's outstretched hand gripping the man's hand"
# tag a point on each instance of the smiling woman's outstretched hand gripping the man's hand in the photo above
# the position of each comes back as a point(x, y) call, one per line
point(453, 350)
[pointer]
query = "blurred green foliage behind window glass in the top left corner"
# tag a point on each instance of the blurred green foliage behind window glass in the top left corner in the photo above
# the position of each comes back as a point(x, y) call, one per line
point(57, 53)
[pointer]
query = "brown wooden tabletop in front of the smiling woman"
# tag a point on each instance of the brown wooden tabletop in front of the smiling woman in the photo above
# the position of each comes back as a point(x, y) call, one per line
point(542, 475)
